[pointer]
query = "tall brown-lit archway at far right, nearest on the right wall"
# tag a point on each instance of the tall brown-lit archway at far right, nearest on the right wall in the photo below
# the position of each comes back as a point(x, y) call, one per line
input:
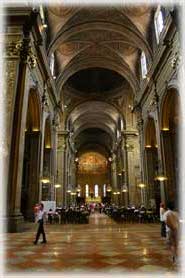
point(170, 122)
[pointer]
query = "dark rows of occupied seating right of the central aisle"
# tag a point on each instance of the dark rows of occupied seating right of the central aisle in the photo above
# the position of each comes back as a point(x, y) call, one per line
point(132, 215)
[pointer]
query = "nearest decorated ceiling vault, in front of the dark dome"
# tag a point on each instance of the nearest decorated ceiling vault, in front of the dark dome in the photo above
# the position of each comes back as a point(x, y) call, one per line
point(88, 37)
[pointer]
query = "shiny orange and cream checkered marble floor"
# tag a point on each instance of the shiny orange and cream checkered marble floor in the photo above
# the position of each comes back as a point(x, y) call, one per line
point(100, 247)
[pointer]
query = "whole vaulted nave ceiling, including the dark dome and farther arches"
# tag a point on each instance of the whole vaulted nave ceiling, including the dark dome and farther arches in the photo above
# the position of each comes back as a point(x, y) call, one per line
point(97, 51)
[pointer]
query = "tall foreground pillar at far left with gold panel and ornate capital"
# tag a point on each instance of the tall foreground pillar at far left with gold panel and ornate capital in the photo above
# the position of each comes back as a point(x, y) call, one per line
point(18, 51)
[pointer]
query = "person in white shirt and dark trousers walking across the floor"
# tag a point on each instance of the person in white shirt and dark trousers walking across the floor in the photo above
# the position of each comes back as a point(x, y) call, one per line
point(40, 219)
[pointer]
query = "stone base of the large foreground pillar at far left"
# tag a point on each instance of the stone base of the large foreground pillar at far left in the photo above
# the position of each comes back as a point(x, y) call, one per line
point(14, 223)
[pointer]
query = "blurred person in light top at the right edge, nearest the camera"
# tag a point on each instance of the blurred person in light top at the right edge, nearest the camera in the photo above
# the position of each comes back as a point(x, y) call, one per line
point(172, 229)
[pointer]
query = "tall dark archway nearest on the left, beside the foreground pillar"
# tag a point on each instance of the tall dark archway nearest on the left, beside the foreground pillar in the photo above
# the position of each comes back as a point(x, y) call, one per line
point(30, 177)
